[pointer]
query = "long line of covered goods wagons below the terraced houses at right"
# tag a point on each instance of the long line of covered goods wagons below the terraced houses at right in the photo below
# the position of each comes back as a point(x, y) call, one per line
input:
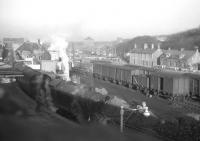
point(167, 82)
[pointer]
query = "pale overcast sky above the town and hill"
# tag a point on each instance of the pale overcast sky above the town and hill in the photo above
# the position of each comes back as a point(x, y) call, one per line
point(100, 19)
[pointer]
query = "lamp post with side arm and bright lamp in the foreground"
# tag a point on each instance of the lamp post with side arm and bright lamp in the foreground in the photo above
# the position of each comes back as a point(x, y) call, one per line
point(143, 109)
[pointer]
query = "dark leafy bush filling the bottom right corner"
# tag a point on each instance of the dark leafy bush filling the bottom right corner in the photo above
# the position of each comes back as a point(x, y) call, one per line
point(181, 129)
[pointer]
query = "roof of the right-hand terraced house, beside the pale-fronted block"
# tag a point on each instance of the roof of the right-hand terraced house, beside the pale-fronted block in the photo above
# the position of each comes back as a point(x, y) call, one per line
point(177, 54)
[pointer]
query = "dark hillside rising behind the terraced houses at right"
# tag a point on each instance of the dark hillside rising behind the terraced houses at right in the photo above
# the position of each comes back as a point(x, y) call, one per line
point(186, 39)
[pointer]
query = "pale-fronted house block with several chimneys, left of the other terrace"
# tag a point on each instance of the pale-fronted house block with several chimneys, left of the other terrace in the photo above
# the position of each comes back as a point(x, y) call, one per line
point(147, 56)
